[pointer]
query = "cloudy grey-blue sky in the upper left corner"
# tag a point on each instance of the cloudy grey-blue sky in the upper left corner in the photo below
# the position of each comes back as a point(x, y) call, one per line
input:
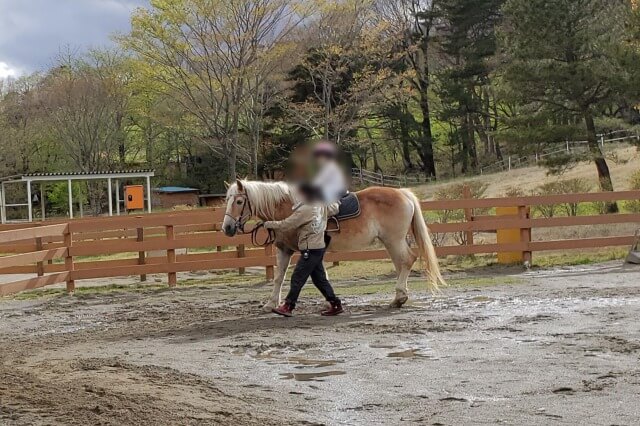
point(33, 32)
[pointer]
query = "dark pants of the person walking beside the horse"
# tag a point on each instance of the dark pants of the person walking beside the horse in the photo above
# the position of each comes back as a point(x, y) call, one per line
point(311, 266)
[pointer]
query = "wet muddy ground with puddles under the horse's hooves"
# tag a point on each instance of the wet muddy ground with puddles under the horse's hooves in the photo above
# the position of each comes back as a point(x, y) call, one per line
point(558, 346)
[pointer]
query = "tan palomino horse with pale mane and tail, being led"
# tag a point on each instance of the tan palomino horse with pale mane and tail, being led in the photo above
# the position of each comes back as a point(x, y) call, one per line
point(387, 214)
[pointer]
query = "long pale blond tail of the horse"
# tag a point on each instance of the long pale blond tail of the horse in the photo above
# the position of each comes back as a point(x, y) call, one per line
point(426, 251)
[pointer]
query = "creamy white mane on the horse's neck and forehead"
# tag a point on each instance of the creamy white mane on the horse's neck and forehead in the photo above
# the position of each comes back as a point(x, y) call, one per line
point(266, 196)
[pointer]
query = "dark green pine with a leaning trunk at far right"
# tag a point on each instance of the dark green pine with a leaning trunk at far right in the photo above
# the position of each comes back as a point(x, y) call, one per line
point(570, 56)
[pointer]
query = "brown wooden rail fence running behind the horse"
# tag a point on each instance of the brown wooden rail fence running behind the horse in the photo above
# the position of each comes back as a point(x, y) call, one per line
point(175, 242)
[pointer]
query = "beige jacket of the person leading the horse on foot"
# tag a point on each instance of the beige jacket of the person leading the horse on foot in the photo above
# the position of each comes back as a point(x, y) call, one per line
point(310, 221)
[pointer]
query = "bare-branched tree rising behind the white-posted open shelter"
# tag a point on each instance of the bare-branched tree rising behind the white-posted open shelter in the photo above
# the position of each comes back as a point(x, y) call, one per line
point(84, 102)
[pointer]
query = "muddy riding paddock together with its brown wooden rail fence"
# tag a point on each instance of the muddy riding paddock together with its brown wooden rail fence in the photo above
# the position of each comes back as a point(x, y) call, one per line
point(189, 344)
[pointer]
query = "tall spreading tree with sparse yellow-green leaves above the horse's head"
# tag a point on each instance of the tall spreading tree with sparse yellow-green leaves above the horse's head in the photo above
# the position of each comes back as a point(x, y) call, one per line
point(203, 53)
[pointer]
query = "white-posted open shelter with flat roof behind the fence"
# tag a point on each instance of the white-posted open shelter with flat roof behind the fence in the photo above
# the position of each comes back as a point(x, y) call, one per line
point(110, 177)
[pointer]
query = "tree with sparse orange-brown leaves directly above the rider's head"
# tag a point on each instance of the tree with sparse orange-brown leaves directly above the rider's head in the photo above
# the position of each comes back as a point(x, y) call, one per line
point(344, 76)
